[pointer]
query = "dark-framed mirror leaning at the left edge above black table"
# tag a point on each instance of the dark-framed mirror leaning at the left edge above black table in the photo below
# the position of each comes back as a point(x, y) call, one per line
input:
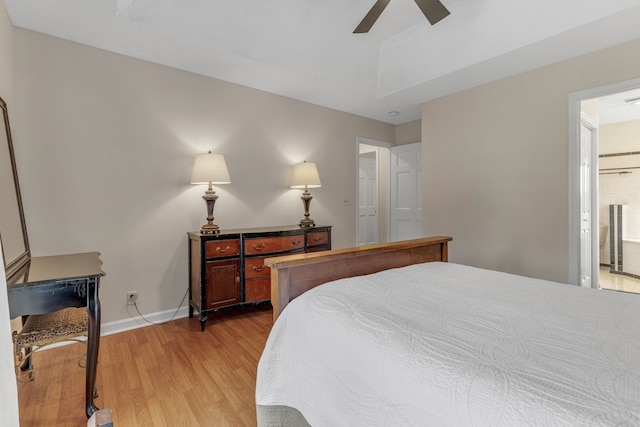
point(13, 229)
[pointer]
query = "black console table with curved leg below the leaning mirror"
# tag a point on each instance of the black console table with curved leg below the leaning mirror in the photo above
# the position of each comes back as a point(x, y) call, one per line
point(50, 283)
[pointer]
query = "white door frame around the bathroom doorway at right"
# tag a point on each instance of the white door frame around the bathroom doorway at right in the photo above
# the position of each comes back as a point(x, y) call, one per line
point(575, 120)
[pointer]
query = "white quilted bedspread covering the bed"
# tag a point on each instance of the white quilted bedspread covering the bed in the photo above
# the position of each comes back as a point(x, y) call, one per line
point(441, 344)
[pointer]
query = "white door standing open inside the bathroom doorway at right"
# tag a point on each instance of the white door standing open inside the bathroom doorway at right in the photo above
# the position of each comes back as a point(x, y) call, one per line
point(588, 214)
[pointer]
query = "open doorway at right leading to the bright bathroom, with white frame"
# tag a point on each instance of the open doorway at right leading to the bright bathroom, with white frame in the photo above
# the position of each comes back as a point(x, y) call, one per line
point(605, 120)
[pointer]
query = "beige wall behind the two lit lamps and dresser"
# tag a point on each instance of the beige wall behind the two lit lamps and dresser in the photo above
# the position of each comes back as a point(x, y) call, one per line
point(105, 146)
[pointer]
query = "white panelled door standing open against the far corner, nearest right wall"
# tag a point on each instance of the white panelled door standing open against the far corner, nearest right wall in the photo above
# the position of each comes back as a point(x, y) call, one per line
point(406, 192)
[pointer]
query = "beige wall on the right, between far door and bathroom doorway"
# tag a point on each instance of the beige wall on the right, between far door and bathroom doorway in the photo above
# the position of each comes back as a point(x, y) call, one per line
point(495, 164)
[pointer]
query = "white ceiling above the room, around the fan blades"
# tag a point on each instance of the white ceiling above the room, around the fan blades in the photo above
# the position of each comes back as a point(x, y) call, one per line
point(305, 49)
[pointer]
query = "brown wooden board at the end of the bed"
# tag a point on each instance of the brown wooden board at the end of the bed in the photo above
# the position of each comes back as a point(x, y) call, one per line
point(293, 275)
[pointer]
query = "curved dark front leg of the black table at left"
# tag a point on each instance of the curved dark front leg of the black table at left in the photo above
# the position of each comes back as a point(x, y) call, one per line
point(93, 343)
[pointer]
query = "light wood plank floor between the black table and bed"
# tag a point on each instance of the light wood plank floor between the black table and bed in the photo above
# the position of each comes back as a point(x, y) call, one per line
point(160, 375)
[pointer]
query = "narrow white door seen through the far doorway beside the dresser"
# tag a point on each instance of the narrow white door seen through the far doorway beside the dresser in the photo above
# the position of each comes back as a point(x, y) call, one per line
point(368, 198)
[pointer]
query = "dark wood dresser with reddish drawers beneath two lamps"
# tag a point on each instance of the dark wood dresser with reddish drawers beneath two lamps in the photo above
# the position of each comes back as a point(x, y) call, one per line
point(227, 269)
